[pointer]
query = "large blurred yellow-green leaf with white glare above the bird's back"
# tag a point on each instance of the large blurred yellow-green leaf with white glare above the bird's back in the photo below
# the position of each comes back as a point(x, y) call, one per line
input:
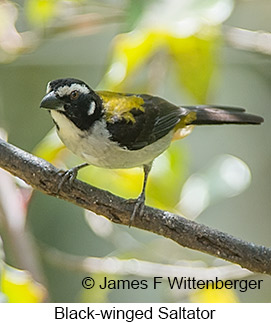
point(187, 32)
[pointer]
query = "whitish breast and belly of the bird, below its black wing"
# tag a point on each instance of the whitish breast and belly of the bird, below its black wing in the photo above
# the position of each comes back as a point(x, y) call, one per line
point(95, 147)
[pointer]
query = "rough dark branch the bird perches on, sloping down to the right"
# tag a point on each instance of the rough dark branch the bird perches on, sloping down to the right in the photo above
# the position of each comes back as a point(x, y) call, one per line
point(44, 177)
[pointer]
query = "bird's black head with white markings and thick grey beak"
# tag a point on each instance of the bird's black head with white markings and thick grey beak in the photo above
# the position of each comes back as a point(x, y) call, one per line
point(74, 99)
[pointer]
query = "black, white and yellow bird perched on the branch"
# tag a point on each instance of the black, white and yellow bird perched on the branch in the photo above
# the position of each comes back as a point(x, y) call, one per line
point(125, 130)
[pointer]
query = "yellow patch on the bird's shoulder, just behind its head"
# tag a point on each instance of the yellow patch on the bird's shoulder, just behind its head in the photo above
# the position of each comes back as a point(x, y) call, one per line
point(118, 105)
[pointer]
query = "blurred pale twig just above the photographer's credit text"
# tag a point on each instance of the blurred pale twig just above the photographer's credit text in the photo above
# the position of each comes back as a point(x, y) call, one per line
point(116, 266)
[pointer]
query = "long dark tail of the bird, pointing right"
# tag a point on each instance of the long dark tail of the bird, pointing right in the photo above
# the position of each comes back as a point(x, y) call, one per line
point(208, 114)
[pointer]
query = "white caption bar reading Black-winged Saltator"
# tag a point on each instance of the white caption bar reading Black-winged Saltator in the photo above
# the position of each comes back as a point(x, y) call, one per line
point(139, 312)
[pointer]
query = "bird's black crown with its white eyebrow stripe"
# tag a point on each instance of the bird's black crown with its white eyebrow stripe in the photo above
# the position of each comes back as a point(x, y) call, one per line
point(63, 87)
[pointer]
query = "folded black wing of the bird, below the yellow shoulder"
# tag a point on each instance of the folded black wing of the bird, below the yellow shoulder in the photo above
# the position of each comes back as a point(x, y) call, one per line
point(157, 118)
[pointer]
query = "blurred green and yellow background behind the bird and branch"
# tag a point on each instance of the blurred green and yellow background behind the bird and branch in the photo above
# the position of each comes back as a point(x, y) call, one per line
point(184, 51)
